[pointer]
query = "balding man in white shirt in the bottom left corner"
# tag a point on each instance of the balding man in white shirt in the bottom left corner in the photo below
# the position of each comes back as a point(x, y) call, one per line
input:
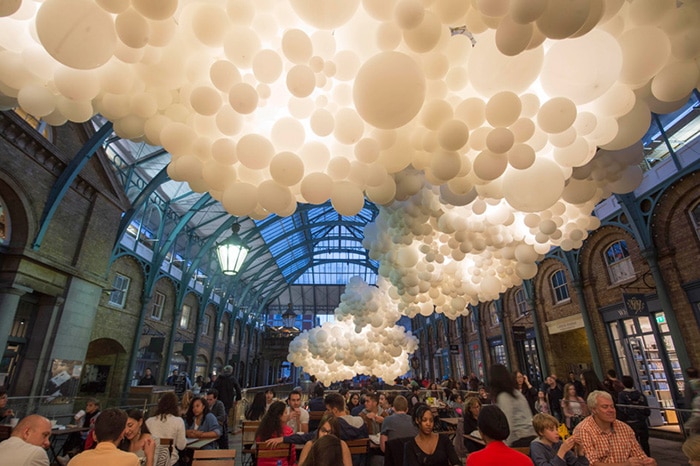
point(28, 443)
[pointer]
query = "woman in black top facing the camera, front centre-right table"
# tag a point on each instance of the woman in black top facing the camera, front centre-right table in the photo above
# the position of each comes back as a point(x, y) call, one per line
point(428, 448)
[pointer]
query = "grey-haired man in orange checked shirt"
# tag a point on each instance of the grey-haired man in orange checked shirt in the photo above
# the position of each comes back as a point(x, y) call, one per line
point(605, 439)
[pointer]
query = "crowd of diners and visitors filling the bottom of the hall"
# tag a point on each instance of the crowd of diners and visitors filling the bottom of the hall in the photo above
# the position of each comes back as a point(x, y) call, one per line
point(584, 421)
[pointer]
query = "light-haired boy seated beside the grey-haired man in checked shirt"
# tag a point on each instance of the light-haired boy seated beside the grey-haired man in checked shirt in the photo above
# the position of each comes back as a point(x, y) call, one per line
point(549, 450)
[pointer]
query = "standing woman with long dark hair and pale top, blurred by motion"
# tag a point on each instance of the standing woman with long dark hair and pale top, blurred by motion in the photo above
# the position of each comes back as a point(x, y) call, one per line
point(506, 396)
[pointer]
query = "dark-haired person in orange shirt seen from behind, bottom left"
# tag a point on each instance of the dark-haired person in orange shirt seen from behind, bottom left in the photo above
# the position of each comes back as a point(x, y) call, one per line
point(109, 431)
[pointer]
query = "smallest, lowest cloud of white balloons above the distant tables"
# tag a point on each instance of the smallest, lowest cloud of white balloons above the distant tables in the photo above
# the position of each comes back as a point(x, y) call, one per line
point(364, 338)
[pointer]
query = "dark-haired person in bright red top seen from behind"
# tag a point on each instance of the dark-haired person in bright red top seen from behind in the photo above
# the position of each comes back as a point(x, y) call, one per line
point(493, 427)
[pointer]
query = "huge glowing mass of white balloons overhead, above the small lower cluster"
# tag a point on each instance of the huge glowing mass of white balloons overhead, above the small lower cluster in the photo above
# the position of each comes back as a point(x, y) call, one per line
point(486, 130)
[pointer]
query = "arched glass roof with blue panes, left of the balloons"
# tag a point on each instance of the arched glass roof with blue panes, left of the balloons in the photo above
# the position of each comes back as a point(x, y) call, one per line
point(314, 246)
